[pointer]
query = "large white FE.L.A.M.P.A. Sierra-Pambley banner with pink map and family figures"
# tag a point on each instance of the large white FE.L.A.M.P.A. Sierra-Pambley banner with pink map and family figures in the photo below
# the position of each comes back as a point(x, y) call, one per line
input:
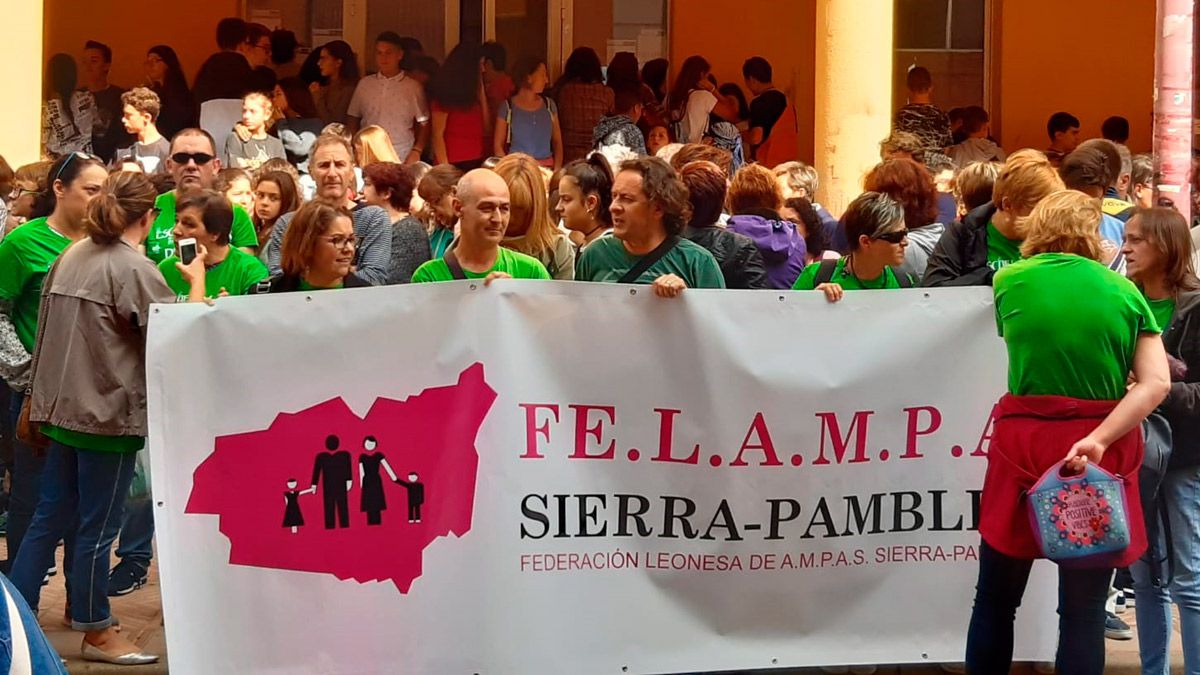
point(547, 479)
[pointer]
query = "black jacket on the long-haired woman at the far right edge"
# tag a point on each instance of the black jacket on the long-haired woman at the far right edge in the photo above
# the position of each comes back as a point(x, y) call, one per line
point(1183, 404)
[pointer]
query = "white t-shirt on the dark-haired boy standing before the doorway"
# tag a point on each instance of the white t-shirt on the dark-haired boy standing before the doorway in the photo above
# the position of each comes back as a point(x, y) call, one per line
point(397, 104)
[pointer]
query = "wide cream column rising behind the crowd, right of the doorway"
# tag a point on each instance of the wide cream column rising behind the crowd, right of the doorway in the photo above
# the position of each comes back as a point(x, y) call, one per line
point(854, 94)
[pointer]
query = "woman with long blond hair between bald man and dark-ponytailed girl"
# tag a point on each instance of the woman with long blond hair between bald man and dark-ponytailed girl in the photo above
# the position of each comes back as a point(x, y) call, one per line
point(531, 230)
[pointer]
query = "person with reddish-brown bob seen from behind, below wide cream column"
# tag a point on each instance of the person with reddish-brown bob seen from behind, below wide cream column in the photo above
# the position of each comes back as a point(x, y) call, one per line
point(909, 183)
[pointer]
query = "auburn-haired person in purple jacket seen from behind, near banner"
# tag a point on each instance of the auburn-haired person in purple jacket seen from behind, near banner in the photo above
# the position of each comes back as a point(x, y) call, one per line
point(755, 201)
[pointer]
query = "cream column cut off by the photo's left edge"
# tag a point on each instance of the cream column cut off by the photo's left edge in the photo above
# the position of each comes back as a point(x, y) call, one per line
point(21, 71)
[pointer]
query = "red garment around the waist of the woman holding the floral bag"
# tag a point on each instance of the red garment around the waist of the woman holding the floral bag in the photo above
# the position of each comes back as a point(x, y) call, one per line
point(1031, 434)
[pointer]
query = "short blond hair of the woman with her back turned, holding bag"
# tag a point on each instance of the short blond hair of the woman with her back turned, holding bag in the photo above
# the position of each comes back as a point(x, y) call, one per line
point(1066, 222)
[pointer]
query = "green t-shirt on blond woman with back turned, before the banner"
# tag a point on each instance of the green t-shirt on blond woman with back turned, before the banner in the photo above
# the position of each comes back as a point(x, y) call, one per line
point(1071, 326)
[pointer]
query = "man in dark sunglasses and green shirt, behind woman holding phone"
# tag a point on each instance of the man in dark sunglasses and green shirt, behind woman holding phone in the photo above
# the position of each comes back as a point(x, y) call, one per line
point(194, 164)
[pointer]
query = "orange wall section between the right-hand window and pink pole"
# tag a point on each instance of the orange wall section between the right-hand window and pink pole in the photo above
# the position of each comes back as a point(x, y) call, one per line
point(1091, 59)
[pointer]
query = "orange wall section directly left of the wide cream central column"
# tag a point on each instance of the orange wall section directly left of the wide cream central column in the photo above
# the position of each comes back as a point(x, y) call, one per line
point(729, 32)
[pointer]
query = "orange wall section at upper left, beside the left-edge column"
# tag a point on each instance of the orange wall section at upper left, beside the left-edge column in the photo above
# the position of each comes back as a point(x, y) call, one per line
point(190, 28)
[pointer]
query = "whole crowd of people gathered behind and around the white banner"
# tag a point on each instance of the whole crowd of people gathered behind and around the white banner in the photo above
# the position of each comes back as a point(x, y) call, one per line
point(471, 169)
